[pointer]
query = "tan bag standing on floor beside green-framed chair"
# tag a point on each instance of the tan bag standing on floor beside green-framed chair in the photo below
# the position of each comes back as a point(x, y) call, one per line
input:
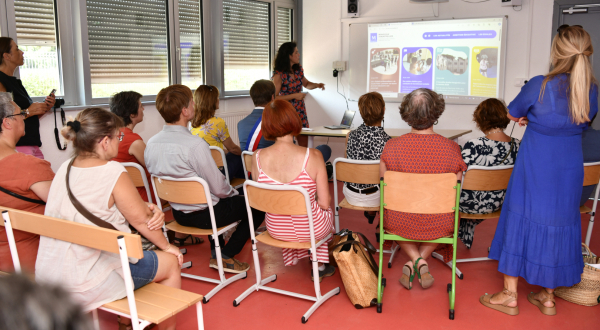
point(357, 268)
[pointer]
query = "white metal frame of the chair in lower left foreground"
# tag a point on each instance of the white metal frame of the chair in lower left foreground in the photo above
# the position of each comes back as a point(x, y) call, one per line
point(136, 322)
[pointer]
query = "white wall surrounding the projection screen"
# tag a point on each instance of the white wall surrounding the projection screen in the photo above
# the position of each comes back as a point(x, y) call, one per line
point(326, 39)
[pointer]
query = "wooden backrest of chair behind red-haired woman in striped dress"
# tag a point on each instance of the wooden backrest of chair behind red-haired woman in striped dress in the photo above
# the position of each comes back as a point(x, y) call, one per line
point(277, 199)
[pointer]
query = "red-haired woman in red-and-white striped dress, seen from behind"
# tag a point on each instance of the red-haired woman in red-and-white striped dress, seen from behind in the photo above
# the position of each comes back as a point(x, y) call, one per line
point(285, 163)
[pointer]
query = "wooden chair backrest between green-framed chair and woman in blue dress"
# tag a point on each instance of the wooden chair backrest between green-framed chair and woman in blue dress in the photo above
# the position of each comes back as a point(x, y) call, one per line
point(485, 178)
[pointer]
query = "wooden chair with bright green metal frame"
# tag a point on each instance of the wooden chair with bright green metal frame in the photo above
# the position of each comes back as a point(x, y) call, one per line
point(424, 194)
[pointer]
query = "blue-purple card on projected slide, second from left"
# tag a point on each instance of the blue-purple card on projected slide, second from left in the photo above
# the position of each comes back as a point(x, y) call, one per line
point(417, 69)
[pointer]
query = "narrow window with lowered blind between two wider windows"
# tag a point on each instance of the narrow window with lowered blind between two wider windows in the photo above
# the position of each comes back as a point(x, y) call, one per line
point(190, 42)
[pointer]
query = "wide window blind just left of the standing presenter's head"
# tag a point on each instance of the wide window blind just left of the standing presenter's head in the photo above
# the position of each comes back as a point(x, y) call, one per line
point(246, 33)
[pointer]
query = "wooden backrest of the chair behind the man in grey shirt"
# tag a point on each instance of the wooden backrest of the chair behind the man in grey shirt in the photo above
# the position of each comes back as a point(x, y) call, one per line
point(192, 190)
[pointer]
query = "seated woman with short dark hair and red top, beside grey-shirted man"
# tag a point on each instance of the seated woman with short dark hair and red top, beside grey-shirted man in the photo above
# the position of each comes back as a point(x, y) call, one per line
point(128, 106)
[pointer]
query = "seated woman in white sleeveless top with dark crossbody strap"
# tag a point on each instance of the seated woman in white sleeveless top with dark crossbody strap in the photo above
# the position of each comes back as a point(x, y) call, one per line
point(104, 188)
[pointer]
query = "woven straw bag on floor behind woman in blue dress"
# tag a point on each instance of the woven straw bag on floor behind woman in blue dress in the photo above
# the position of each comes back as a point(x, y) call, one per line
point(586, 292)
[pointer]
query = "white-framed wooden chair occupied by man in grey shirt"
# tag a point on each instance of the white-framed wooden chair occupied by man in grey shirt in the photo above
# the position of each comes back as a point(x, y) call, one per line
point(195, 191)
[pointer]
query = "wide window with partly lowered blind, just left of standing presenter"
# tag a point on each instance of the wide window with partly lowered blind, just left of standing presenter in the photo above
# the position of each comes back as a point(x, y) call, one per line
point(246, 43)
